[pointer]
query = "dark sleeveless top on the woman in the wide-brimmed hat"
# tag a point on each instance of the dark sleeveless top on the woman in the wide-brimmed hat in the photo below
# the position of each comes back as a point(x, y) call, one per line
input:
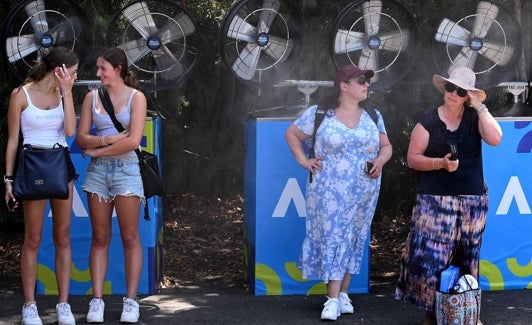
point(468, 179)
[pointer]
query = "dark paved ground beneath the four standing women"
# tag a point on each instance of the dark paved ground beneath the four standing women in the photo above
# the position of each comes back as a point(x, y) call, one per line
point(207, 304)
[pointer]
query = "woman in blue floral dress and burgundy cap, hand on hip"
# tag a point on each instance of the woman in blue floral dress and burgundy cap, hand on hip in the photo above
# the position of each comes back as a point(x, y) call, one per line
point(342, 196)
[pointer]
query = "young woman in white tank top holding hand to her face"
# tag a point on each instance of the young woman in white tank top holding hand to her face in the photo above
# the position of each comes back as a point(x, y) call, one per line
point(43, 109)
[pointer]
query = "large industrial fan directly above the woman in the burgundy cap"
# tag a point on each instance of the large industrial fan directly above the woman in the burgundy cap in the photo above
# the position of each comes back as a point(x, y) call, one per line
point(379, 35)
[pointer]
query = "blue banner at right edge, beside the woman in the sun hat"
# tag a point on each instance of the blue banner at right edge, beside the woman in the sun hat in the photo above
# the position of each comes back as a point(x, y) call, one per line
point(506, 254)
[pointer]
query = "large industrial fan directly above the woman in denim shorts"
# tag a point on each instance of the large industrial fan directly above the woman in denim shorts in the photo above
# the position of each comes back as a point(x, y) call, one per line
point(160, 40)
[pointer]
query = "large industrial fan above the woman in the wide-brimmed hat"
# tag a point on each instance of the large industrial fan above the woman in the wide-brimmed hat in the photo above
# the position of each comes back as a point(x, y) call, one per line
point(483, 36)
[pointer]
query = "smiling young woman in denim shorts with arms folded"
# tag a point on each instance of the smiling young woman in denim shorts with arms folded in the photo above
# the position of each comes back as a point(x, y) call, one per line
point(113, 178)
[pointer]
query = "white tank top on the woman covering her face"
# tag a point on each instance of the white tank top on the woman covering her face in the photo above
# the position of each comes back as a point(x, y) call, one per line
point(42, 127)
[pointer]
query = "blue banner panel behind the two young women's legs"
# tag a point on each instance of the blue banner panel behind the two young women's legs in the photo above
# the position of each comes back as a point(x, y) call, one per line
point(150, 233)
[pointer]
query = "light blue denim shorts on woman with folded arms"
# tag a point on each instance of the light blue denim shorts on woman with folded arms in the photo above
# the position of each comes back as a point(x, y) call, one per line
point(109, 177)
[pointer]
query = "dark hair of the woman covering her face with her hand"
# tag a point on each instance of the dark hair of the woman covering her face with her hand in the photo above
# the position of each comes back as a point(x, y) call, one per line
point(54, 58)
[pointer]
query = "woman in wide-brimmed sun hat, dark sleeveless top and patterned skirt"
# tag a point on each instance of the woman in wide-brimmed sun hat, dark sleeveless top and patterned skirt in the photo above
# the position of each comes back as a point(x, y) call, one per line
point(451, 204)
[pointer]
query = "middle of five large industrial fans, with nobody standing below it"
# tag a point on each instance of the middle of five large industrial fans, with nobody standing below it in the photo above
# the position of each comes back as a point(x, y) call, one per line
point(261, 40)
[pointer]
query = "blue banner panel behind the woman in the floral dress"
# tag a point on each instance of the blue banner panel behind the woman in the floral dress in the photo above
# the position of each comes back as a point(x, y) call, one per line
point(274, 215)
